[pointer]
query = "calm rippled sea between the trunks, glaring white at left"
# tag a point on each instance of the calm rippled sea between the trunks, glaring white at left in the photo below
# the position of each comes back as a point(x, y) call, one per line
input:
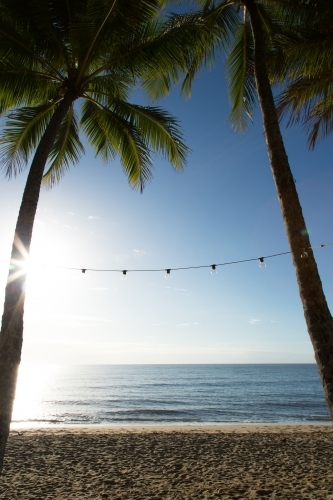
point(169, 394)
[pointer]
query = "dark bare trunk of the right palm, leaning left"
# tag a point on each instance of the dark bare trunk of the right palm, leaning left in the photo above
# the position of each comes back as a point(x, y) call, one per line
point(317, 315)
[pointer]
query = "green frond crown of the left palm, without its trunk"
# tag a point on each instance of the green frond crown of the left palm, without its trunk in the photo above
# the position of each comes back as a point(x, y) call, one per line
point(93, 53)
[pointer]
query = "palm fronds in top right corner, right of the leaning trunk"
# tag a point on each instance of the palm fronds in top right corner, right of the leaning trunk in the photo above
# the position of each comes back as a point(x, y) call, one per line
point(306, 59)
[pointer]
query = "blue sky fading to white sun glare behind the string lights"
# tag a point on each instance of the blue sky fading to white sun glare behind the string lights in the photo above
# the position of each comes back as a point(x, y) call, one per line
point(222, 208)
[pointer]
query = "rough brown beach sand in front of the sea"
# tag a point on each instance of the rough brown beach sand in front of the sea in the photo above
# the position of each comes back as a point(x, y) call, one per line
point(206, 462)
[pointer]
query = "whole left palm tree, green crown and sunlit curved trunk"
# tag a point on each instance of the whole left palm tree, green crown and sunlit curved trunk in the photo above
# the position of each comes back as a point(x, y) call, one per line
point(67, 66)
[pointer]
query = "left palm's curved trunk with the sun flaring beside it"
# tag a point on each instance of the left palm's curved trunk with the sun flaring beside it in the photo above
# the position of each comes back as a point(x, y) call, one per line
point(11, 335)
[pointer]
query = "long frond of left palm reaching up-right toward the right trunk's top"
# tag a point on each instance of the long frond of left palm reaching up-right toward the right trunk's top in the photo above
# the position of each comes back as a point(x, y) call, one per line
point(167, 48)
